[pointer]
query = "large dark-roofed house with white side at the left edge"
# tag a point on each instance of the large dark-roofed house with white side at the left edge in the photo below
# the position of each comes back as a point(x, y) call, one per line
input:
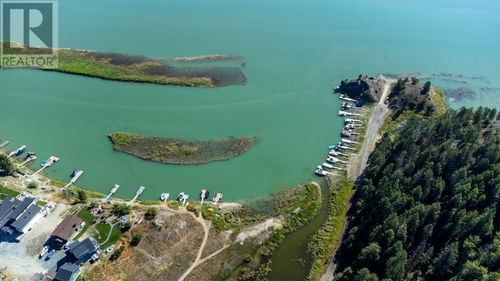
point(18, 215)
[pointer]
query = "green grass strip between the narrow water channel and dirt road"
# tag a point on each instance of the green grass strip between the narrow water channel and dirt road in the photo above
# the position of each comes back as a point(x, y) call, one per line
point(326, 240)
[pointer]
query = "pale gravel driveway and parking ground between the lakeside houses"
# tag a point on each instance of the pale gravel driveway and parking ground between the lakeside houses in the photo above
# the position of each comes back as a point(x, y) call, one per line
point(20, 259)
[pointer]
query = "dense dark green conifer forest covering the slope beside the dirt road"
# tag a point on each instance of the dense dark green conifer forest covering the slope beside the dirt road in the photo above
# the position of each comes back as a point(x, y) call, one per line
point(427, 206)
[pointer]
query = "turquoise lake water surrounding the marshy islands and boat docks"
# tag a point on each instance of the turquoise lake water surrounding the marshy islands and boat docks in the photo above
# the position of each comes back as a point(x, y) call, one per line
point(295, 51)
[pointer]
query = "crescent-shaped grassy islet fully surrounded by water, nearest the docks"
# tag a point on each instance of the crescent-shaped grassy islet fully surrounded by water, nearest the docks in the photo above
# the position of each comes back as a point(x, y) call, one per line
point(175, 151)
